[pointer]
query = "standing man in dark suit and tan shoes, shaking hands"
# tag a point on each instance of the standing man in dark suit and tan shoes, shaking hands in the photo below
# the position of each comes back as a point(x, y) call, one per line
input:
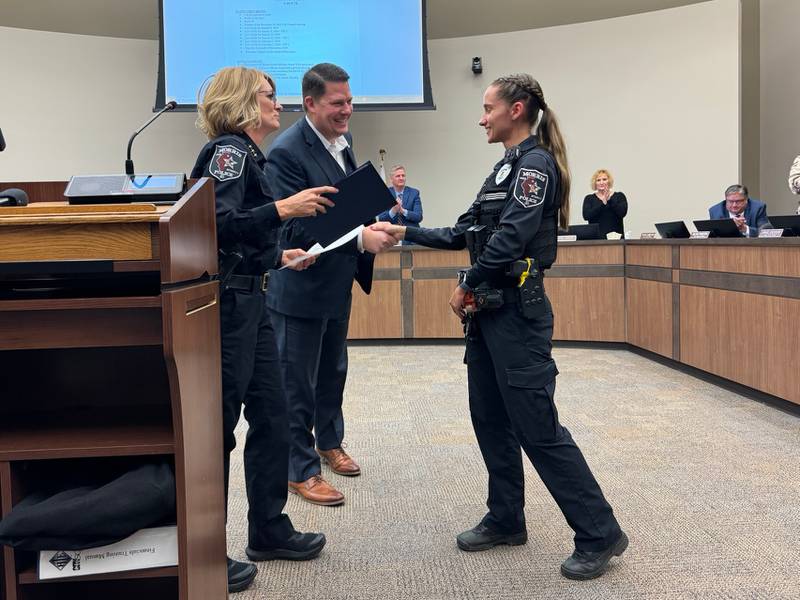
point(311, 312)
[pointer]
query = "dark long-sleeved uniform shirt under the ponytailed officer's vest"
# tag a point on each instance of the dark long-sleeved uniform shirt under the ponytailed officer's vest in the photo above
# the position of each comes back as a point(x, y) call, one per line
point(530, 187)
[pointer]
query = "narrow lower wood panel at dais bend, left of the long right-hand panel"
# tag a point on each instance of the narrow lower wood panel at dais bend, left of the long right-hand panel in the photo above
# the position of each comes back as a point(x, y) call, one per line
point(649, 315)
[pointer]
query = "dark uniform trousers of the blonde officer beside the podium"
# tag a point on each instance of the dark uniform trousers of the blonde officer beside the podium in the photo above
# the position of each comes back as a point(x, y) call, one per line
point(251, 377)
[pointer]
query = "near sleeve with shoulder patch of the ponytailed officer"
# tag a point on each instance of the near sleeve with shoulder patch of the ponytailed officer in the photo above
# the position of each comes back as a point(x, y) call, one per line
point(534, 188)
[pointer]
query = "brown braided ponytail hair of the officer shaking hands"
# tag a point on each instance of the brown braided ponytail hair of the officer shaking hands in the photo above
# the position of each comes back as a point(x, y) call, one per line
point(521, 87)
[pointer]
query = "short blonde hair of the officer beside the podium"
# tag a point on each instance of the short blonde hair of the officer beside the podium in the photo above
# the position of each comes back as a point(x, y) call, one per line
point(230, 101)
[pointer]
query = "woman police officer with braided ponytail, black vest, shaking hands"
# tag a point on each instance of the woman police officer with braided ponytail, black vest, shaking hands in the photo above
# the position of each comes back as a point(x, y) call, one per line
point(510, 231)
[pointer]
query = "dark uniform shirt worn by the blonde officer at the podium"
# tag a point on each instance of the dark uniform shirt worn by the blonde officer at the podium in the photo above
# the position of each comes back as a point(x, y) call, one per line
point(247, 218)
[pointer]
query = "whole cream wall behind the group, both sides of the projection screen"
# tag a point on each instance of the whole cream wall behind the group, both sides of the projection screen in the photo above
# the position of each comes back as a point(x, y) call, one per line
point(646, 96)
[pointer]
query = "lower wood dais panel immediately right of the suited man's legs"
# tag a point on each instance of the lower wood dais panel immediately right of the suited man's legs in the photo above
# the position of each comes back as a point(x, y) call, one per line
point(377, 316)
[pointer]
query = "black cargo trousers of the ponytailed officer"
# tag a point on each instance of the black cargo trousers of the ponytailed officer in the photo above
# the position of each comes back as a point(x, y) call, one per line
point(511, 386)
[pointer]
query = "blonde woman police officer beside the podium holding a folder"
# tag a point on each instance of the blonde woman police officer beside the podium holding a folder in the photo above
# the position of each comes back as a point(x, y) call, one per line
point(239, 108)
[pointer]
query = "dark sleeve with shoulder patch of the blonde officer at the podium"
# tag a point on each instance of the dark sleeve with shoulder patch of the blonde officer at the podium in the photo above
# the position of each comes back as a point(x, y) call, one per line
point(236, 222)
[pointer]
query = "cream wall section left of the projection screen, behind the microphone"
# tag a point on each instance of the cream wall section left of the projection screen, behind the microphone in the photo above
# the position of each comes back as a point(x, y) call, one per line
point(70, 103)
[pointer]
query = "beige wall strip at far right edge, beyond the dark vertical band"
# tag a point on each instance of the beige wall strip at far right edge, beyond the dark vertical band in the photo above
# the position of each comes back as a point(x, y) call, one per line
point(780, 101)
